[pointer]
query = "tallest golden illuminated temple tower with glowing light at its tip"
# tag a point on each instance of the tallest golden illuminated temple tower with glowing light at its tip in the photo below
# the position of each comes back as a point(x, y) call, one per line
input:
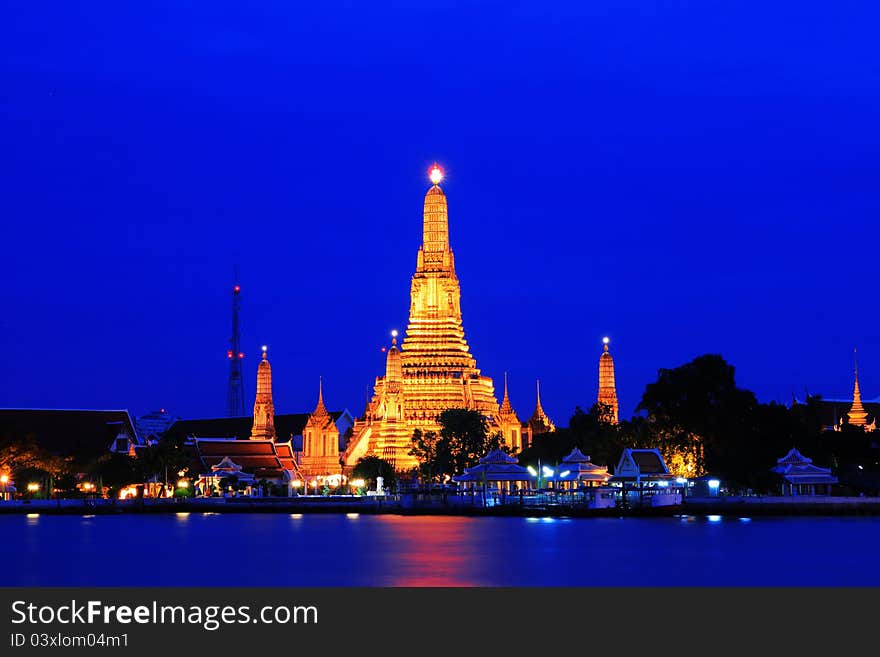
point(433, 370)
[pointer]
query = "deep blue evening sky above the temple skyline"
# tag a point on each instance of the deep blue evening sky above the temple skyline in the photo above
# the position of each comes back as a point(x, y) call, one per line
point(686, 177)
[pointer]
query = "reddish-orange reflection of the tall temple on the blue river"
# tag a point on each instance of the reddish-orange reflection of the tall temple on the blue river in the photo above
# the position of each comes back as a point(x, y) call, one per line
point(432, 551)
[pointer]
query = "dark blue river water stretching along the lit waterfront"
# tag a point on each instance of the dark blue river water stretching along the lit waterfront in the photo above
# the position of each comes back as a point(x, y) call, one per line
point(209, 549)
